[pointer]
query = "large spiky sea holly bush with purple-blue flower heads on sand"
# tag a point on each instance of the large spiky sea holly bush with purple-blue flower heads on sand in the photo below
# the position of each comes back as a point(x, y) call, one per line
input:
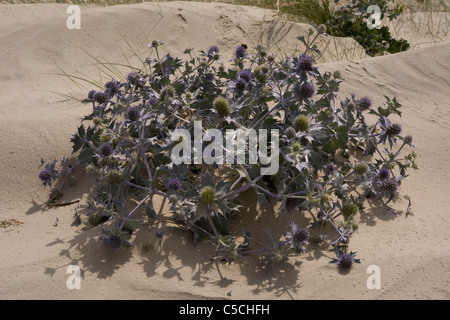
point(201, 131)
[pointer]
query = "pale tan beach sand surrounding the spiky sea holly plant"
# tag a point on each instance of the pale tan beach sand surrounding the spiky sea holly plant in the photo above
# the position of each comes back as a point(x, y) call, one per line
point(39, 243)
